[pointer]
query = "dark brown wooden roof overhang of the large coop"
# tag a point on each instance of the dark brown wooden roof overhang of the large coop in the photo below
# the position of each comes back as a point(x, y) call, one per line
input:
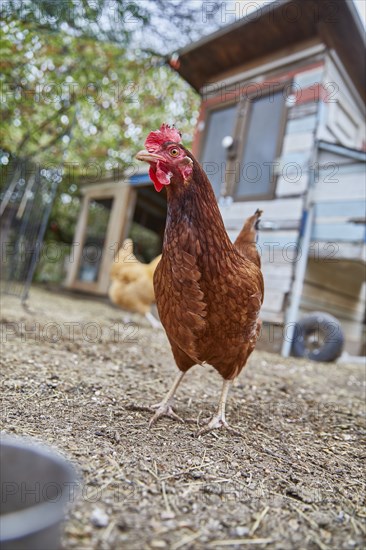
point(274, 27)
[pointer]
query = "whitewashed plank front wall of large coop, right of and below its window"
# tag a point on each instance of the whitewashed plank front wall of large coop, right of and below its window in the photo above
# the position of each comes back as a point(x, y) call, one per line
point(281, 221)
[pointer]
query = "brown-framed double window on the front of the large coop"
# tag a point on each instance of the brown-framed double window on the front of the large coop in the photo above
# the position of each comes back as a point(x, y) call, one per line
point(246, 168)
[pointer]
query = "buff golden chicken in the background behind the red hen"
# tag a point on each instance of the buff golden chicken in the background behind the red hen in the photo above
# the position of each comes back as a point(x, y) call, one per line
point(132, 283)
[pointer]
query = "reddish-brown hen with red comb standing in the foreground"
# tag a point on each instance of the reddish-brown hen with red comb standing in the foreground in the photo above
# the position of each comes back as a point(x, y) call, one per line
point(208, 290)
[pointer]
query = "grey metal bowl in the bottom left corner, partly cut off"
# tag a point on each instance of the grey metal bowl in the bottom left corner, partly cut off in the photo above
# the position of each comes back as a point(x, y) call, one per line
point(36, 486)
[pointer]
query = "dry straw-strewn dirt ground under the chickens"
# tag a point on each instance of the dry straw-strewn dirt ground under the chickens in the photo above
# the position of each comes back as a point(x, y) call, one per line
point(72, 368)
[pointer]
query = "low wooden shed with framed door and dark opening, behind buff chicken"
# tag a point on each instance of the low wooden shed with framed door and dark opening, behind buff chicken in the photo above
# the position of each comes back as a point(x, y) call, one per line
point(111, 211)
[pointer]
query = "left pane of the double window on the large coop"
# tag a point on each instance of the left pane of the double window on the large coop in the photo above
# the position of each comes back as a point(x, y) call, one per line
point(220, 123)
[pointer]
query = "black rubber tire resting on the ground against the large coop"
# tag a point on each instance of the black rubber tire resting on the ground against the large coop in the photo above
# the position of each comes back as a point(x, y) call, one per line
point(333, 337)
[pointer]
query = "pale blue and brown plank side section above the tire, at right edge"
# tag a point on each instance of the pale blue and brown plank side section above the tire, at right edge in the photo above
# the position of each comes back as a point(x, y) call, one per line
point(335, 276)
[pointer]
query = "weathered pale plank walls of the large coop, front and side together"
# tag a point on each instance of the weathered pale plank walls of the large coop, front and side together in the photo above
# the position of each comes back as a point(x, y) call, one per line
point(325, 106)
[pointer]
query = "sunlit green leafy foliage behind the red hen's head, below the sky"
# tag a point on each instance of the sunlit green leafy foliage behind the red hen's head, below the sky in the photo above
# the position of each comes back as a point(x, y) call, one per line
point(84, 103)
